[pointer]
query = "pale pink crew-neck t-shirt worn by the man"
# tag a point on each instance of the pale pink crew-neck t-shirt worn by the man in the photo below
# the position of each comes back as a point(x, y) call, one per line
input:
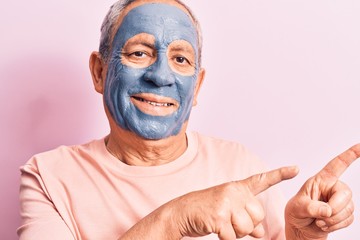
point(83, 192)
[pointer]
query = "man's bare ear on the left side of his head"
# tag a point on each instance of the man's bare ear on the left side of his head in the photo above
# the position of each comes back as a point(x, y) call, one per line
point(98, 71)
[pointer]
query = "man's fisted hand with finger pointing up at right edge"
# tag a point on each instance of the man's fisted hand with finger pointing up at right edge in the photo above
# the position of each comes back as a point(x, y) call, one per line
point(323, 204)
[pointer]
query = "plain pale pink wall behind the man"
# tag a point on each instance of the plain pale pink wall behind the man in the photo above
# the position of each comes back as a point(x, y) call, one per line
point(283, 78)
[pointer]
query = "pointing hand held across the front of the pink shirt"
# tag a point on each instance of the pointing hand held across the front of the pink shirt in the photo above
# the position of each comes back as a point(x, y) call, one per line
point(230, 210)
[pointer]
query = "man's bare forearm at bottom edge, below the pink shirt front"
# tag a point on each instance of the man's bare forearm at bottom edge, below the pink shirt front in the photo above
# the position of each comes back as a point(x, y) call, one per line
point(159, 224)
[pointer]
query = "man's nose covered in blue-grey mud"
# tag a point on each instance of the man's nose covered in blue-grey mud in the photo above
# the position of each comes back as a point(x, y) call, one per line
point(160, 73)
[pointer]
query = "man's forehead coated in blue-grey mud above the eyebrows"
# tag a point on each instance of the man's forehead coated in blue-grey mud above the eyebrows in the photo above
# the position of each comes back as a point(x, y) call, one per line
point(166, 22)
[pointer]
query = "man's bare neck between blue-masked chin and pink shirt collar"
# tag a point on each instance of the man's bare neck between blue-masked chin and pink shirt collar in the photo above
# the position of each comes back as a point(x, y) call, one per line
point(136, 151)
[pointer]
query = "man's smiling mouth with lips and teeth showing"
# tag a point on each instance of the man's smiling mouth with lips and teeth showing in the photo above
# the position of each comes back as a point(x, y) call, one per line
point(154, 104)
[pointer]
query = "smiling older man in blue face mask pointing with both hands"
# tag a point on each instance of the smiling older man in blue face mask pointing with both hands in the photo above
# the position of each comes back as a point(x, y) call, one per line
point(150, 178)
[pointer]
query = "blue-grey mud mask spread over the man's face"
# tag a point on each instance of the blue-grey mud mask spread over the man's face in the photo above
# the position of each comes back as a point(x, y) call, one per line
point(166, 24)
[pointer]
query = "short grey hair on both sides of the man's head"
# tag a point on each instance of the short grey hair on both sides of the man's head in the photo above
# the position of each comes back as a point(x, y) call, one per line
point(109, 23)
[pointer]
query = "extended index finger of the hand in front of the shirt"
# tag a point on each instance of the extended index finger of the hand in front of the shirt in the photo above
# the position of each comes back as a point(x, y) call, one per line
point(260, 182)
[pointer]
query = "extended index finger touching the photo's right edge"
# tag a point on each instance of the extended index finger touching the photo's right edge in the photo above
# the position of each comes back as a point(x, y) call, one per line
point(339, 164)
